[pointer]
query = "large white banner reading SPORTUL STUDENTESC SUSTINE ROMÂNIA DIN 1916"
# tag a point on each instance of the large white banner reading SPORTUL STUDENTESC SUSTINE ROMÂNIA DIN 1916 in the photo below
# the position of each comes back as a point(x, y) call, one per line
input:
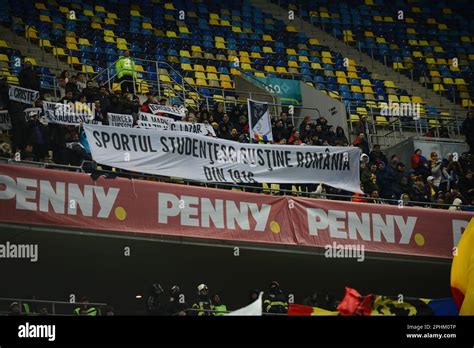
point(207, 159)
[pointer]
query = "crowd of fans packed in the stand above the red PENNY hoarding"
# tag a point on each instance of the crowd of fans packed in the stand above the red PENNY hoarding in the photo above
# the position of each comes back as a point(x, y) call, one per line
point(426, 180)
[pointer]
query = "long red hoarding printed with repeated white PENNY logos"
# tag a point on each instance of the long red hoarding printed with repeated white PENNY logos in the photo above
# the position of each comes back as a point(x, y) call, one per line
point(64, 199)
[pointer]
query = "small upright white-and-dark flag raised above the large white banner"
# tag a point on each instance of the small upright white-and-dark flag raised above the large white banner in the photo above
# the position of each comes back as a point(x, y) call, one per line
point(260, 126)
